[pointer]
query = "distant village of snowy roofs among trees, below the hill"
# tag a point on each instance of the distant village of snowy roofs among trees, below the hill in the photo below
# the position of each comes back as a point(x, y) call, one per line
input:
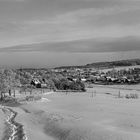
point(112, 76)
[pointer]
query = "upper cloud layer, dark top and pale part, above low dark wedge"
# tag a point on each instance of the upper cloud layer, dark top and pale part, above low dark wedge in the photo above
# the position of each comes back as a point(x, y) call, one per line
point(83, 19)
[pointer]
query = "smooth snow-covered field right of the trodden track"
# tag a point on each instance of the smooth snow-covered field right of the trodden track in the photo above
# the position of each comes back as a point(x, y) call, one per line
point(82, 116)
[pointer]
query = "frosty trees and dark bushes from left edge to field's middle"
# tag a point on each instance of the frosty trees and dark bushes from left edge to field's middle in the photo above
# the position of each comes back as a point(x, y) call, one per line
point(11, 79)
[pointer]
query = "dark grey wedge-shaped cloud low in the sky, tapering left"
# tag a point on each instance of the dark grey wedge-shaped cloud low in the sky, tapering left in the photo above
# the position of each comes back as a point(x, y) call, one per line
point(81, 46)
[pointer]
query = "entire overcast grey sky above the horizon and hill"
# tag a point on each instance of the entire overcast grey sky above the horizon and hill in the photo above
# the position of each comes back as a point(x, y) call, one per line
point(49, 33)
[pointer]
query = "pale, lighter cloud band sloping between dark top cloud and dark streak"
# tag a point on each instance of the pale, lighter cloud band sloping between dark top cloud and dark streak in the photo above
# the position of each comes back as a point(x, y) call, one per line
point(75, 25)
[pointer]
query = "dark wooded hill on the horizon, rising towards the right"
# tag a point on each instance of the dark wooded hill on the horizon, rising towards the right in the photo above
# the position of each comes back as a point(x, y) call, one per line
point(111, 64)
